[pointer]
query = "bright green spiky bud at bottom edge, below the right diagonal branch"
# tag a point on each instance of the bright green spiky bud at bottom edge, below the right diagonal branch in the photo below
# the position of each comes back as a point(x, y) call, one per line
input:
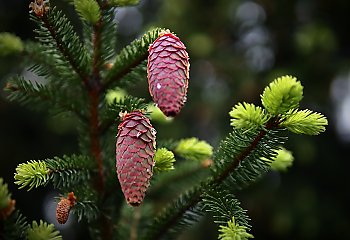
point(233, 231)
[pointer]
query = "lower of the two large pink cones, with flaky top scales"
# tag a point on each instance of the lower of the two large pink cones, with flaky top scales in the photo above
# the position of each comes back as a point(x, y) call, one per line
point(134, 154)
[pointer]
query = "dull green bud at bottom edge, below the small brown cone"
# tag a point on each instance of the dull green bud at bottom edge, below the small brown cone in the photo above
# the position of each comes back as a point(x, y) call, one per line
point(43, 231)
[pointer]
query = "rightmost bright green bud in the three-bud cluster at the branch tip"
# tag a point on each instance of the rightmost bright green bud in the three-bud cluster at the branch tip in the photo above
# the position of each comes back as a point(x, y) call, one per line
point(305, 122)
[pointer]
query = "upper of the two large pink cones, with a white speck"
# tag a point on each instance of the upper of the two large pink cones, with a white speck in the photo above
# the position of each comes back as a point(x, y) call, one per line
point(168, 73)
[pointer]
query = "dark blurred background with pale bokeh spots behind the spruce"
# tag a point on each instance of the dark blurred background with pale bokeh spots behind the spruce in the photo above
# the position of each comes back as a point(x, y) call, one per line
point(236, 48)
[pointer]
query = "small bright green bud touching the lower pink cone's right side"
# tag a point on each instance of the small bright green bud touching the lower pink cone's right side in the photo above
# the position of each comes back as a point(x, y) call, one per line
point(164, 160)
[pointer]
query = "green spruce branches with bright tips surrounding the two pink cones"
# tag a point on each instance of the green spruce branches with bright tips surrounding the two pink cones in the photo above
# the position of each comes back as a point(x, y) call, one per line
point(80, 74)
